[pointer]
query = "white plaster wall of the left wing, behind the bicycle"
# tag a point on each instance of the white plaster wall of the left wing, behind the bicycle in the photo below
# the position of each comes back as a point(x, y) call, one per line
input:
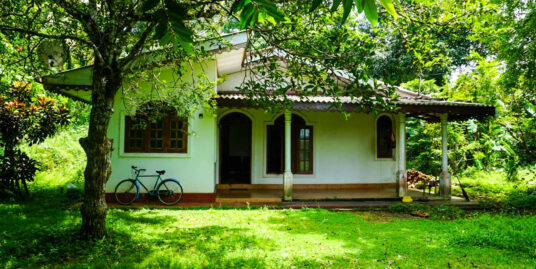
point(195, 169)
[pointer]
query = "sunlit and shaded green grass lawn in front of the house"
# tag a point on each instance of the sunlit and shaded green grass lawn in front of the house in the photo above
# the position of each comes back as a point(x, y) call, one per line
point(42, 233)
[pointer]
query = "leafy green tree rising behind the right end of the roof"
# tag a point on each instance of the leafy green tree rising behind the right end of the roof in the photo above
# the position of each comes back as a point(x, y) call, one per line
point(432, 40)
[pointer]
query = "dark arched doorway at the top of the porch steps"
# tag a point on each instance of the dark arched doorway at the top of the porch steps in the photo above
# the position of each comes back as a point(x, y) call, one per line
point(235, 149)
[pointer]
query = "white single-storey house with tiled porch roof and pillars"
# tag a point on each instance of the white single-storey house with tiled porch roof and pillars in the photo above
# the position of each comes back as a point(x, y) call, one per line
point(286, 155)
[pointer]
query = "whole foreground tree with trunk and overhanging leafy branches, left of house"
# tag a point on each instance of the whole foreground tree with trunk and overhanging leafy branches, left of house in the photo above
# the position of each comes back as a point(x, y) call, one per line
point(115, 33)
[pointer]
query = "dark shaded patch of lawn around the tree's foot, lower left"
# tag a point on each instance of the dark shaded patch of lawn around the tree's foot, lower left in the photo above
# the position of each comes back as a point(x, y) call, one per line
point(43, 231)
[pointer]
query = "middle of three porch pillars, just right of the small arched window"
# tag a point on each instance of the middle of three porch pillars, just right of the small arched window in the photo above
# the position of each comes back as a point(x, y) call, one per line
point(402, 176)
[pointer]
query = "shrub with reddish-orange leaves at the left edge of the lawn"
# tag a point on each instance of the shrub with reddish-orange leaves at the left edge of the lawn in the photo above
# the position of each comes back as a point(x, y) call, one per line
point(24, 118)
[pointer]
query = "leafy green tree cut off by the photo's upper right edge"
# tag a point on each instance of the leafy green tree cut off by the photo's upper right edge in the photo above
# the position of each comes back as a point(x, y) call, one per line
point(516, 48)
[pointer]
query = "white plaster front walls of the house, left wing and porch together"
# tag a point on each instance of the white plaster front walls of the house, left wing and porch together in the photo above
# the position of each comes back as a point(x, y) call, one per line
point(344, 150)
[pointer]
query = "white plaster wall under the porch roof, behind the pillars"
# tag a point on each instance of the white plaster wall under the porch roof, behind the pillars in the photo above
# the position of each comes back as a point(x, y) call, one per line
point(344, 150)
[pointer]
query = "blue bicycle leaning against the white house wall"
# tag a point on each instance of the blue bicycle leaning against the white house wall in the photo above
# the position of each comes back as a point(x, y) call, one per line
point(168, 191)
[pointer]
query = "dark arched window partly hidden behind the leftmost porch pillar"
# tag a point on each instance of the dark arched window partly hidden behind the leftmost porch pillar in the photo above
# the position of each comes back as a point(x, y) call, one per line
point(301, 149)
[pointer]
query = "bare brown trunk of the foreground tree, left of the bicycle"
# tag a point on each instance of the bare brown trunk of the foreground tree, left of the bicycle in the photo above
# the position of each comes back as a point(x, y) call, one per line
point(98, 147)
